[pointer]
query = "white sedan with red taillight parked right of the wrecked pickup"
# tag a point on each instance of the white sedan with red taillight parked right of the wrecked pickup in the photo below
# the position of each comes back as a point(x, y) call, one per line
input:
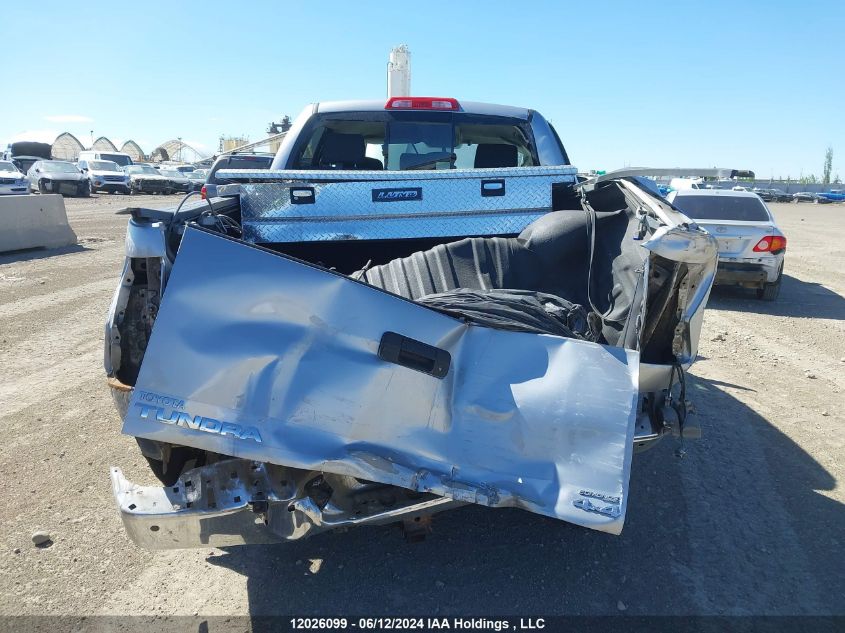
point(751, 246)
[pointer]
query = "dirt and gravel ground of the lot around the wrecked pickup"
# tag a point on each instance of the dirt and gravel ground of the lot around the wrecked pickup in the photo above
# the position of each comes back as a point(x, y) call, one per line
point(749, 522)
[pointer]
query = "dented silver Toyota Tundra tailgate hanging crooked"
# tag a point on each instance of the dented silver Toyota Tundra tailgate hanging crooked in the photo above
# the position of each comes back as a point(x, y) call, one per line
point(259, 356)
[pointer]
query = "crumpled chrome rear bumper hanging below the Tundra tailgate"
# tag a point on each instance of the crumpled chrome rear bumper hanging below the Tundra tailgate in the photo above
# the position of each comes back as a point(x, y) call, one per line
point(240, 502)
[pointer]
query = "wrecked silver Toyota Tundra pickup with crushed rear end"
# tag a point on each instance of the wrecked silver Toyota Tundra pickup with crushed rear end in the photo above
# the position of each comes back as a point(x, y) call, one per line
point(419, 306)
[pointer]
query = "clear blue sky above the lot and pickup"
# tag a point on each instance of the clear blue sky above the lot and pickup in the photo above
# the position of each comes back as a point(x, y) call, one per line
point(752, 85)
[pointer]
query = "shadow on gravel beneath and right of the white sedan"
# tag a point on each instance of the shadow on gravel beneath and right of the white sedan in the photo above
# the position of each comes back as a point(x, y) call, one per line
point(797, 299)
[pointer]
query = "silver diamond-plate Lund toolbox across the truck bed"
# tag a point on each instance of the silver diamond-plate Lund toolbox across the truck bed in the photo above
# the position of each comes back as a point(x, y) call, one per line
point(301, 206)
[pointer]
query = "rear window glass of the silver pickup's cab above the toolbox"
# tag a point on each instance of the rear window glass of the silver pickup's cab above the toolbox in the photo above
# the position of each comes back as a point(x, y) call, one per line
point(402, 141)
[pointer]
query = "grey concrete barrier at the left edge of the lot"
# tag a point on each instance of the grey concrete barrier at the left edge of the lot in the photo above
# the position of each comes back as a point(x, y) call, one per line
point(34, 221)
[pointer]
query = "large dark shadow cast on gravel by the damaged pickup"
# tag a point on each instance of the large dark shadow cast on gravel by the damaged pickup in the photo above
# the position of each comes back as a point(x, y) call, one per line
point(736, 527)
